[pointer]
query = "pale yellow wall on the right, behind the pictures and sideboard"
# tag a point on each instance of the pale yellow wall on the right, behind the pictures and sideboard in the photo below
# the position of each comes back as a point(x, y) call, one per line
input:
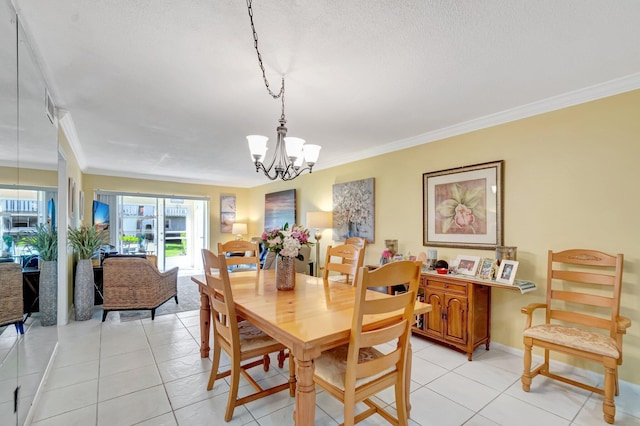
point(569, 181)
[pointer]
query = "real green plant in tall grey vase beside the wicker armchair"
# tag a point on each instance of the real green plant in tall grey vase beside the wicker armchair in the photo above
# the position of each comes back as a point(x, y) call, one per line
point(85, 241)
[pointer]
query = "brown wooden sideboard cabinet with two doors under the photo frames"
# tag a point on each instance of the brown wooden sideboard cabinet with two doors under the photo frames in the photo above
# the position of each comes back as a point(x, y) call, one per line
point(460, 314)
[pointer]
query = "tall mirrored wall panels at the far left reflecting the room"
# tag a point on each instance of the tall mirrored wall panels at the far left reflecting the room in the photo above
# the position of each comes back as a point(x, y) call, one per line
point(28, 179)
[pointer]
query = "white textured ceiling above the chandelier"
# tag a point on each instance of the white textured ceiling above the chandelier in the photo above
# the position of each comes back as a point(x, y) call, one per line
point(169, 89)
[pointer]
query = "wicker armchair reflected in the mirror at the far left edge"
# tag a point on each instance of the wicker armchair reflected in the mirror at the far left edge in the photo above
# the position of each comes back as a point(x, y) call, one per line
point(11, 303)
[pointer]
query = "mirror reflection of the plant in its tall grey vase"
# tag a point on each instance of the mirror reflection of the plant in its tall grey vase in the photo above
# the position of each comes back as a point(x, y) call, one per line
point(45, 241)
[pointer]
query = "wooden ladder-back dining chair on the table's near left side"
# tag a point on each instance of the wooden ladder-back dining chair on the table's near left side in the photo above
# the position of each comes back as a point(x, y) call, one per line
point(241, 340)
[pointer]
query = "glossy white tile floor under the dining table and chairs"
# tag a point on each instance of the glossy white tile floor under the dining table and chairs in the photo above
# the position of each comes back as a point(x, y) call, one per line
point(150, 373)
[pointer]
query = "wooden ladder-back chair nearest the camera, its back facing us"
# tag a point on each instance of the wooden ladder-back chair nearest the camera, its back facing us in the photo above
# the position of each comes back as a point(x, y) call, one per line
point(376, 357)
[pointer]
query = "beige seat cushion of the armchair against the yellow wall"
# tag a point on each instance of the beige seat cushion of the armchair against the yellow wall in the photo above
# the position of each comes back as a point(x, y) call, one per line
point(576, 338)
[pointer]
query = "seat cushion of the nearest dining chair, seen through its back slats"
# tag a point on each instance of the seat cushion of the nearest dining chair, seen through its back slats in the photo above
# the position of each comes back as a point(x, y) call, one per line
point(331, 366)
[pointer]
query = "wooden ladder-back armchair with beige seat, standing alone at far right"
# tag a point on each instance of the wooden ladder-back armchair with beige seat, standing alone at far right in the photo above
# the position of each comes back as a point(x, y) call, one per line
point(582, 319)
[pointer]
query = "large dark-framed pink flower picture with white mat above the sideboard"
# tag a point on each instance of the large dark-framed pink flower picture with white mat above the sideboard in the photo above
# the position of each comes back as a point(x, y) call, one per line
point(462, 207)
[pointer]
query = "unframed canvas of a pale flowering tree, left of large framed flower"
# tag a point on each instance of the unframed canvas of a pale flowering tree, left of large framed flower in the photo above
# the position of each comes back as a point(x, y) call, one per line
point(353, 210)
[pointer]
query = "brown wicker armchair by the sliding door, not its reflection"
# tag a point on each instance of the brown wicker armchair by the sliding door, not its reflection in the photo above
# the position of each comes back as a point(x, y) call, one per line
point(135, 284)
